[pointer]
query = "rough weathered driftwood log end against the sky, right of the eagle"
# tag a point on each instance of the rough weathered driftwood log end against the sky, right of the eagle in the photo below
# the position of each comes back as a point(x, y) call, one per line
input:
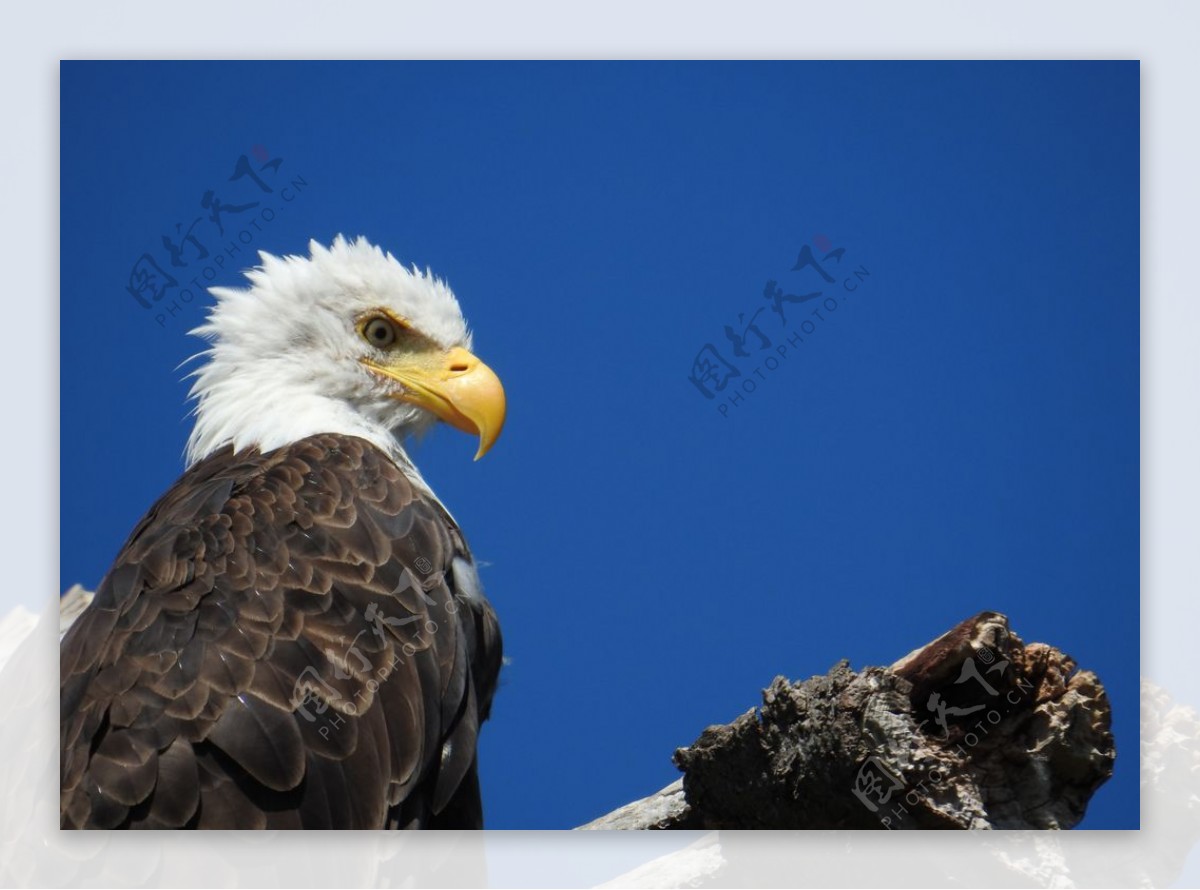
point(974, 731)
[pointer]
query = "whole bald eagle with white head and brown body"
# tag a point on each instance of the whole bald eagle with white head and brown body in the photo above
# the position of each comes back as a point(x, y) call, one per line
point(295, 636)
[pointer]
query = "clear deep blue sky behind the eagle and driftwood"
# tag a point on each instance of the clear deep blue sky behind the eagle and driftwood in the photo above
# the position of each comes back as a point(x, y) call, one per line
point(959, 434)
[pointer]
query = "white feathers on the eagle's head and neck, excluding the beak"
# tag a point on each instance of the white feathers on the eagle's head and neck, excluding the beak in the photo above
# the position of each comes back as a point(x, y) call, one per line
point(284, 363)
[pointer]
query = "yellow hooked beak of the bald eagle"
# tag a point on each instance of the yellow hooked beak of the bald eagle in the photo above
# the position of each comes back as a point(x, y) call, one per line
point(454, 386)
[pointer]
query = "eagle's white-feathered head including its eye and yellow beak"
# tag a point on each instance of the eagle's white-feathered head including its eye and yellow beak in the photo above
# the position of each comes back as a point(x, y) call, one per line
point(344, 341)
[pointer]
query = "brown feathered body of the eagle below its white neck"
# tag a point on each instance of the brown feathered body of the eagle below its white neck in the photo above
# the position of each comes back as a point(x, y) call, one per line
point(292, 640)
